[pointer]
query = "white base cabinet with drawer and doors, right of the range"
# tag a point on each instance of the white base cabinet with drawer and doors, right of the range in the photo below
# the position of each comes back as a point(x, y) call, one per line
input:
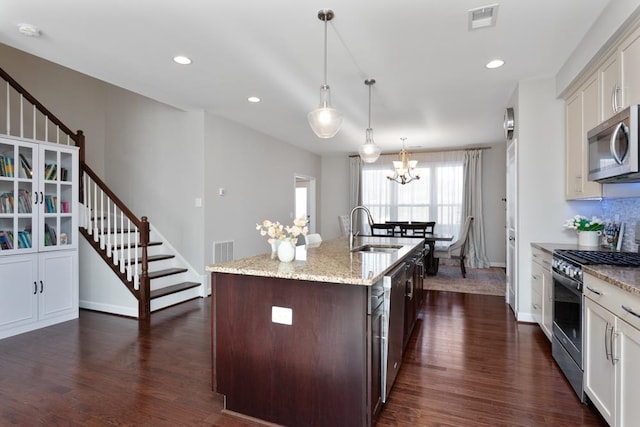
point(612, 351)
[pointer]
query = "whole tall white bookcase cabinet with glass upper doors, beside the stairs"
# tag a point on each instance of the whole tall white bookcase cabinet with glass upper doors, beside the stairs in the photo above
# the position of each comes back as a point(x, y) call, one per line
point(38, 235)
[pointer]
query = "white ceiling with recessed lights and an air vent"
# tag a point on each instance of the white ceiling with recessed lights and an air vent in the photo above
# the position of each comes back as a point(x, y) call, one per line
point(432, 86)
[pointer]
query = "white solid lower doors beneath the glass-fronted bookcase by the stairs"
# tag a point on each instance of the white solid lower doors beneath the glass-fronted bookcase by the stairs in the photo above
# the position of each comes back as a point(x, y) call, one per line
point(37, 290)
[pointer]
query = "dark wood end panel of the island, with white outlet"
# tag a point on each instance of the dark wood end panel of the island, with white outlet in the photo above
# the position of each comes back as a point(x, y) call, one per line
point(313, 372)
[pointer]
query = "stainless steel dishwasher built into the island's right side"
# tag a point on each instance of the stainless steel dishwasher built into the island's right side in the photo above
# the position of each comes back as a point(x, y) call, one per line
point(393, 327)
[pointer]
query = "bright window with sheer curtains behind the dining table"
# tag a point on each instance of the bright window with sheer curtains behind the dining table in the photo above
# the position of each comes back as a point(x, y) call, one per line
point(436, 196)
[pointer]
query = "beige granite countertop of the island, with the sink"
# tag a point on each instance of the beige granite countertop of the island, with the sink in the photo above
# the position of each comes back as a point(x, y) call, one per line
point(331, 262)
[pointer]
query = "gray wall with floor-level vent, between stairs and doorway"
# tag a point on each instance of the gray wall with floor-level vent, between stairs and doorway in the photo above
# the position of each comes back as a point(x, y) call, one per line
point(257, 173)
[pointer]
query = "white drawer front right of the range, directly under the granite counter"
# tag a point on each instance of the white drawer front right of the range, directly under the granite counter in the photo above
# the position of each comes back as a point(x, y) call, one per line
point(618, 301)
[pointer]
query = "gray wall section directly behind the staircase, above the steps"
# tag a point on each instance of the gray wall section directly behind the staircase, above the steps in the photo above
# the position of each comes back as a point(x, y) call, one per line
point(154, 163)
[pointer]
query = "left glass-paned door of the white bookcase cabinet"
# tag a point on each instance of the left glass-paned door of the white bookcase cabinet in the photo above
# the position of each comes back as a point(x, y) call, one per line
point(18, 195)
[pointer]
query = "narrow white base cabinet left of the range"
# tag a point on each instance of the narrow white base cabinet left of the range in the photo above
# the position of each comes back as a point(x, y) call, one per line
point(541, 289)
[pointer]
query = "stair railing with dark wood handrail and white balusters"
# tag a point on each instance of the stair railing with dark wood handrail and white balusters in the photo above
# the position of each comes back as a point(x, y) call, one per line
point(102, 213)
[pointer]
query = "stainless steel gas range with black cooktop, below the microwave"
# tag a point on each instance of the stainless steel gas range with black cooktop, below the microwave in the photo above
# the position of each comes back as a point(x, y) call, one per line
point(568, 302)
